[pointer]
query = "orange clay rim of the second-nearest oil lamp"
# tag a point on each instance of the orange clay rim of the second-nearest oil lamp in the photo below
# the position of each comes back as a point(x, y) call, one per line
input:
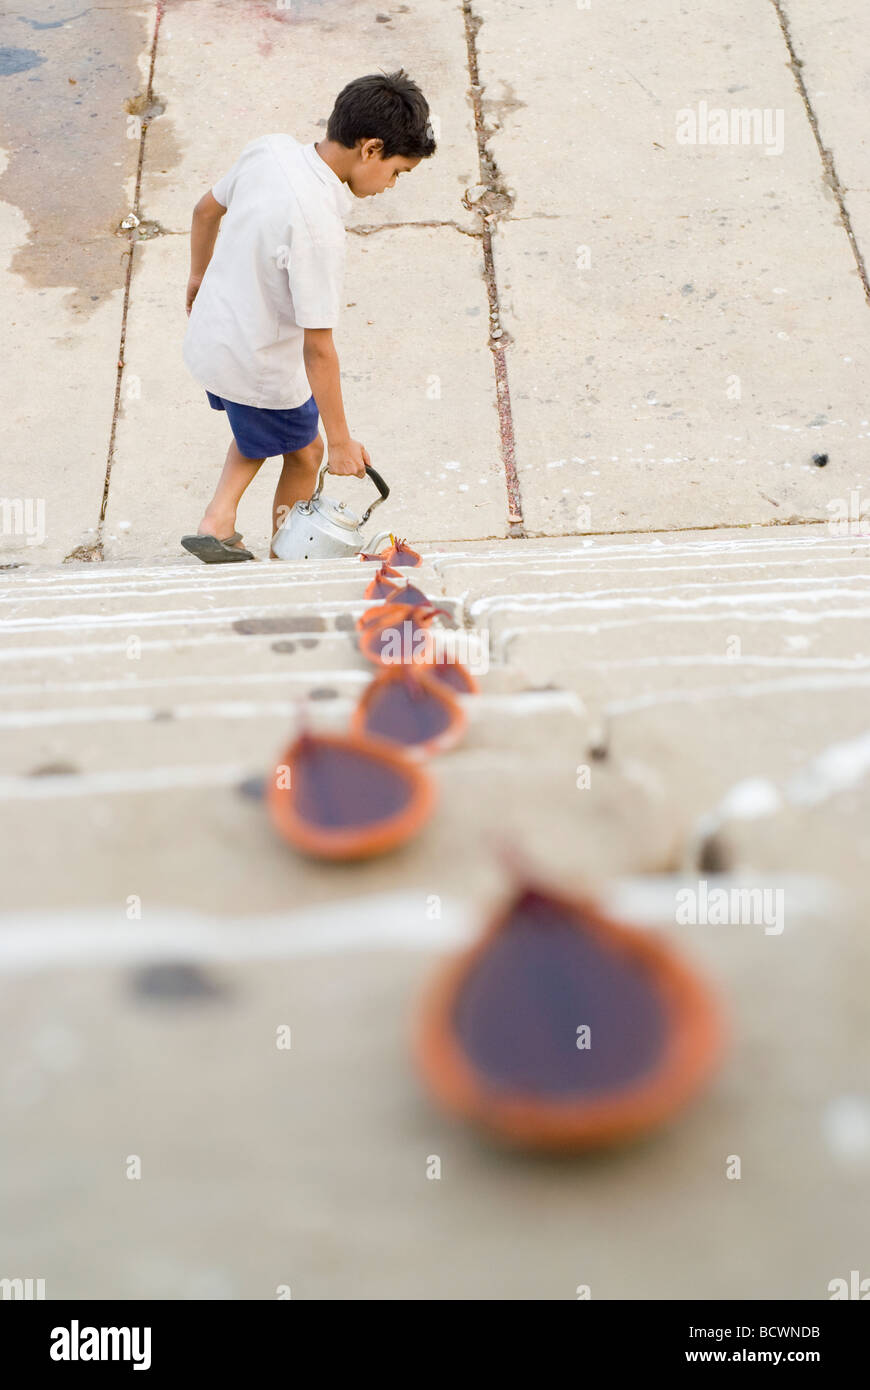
point(358, 842)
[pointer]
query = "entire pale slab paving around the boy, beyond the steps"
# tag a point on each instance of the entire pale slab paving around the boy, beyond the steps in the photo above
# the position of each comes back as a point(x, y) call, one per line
point(753, 338)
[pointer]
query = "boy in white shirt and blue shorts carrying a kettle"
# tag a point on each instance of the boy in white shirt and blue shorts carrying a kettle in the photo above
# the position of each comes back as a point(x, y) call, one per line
point(265, 302)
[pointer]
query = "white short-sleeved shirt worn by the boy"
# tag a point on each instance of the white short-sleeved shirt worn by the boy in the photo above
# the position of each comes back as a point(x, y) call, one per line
point(279, 268)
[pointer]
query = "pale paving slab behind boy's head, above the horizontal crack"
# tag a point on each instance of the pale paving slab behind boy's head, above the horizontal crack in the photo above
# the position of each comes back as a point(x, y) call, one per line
point(234, 70)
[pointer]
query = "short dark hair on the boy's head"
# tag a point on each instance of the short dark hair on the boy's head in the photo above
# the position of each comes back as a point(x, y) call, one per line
point(384, 106)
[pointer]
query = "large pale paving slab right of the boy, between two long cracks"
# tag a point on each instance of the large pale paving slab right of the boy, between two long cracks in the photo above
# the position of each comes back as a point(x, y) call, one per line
point(689, 322)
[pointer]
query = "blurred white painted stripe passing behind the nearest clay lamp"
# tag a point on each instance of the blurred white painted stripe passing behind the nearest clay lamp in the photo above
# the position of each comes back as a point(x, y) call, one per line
point(101, 938)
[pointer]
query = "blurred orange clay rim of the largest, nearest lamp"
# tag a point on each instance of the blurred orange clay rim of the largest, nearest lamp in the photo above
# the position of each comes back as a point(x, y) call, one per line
point(694, 1046)
